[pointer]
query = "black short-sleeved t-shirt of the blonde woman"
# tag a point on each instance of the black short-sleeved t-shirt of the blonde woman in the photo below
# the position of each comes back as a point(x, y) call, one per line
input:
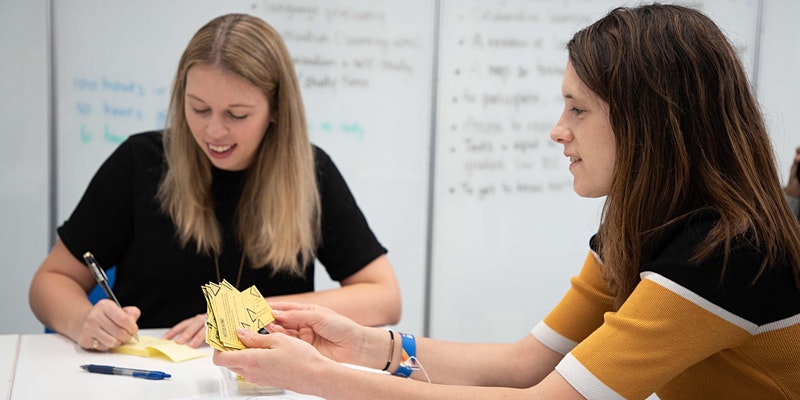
point(120, 221)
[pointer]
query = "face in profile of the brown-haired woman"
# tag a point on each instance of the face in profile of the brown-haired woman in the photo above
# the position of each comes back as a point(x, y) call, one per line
point(585, 131)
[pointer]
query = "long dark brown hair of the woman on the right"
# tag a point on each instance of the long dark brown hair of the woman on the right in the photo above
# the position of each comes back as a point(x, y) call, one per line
point(689, 135)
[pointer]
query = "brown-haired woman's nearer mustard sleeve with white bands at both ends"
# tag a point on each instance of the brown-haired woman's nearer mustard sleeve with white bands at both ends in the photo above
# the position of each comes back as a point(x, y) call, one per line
point(660, 331)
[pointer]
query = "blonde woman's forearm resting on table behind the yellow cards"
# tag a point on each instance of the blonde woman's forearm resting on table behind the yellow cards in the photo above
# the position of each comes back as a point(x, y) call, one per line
point(370, 304)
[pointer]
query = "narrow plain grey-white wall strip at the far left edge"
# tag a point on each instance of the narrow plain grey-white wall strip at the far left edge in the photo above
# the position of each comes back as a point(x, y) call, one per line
point(24, 193)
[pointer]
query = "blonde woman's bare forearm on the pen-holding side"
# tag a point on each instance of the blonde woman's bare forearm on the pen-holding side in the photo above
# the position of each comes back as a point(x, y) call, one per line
point(59, 303)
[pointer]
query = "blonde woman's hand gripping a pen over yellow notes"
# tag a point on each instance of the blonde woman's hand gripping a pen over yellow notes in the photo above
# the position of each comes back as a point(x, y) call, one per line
point(107, 326)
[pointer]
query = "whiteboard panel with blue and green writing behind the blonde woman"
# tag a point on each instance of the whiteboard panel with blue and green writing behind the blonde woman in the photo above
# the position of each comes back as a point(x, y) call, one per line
point(366, 79)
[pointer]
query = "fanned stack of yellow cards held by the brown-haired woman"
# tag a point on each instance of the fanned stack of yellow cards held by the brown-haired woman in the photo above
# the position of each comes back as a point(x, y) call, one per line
point(229, 309)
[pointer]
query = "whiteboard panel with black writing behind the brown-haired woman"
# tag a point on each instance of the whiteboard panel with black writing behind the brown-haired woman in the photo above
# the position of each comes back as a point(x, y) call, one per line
point(508, 231)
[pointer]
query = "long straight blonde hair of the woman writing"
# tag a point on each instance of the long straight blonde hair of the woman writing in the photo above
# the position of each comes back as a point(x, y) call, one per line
point(278, 215)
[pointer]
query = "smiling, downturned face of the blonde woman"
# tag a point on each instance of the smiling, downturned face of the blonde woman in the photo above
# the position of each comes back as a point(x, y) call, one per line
point(228, 116)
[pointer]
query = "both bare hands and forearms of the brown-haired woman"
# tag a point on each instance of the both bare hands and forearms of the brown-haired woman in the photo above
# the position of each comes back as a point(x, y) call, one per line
point(306, 370)
